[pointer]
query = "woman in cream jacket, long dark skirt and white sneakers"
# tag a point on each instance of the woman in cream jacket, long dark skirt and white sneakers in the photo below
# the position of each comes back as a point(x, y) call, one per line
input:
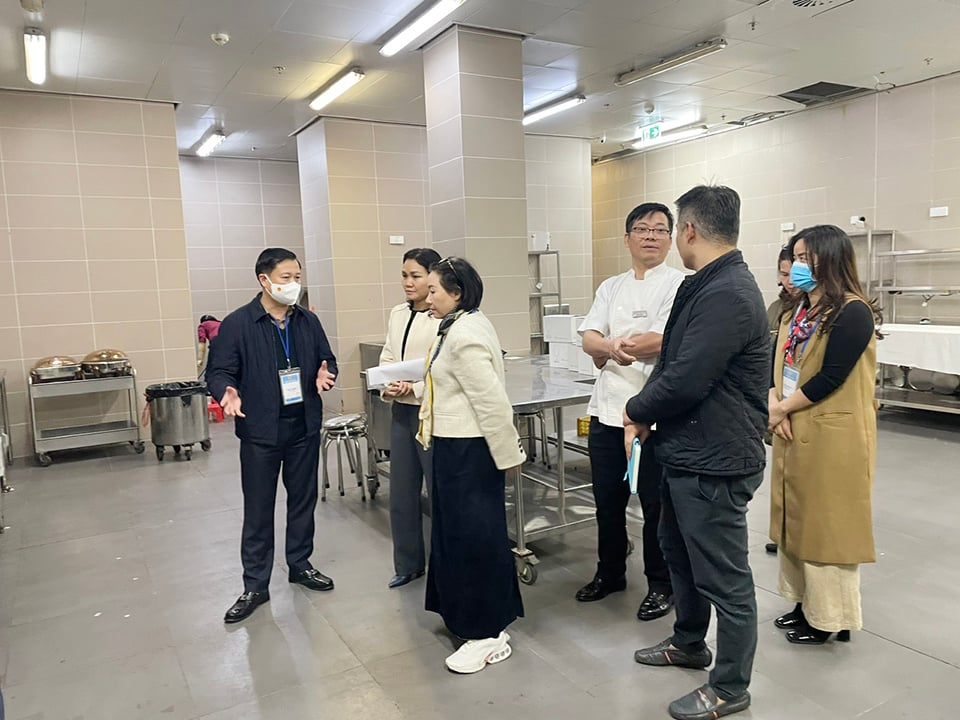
point(468, 419)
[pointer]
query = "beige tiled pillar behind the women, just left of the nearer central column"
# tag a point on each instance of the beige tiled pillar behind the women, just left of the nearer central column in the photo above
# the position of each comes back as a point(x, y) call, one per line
point(362, 182)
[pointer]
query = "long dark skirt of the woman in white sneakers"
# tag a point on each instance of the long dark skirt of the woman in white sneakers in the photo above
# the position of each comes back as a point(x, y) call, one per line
point(472, 580)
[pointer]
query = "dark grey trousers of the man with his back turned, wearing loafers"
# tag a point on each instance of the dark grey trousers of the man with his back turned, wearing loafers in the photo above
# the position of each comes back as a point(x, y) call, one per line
point(703, 532)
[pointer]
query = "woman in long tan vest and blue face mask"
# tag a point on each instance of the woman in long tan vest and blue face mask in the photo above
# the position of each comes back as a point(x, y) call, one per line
point(823, 416)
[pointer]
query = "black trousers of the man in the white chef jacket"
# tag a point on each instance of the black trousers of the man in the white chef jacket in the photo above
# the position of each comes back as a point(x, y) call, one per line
point(608, 464)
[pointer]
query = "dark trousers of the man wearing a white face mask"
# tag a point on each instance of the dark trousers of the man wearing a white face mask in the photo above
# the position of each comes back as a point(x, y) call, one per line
point(297, 454)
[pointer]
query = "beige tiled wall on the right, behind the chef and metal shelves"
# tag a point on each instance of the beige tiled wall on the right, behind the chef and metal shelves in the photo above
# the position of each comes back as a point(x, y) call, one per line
point(889, 157)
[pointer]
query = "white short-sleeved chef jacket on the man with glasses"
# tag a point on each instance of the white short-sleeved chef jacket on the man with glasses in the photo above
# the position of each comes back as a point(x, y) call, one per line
point(625, 306)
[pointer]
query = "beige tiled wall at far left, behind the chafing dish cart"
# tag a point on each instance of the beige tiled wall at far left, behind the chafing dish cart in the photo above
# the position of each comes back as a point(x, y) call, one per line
point(92, 250)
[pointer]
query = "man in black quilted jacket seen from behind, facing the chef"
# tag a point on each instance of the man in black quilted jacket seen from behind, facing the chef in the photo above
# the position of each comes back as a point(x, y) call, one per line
point(708, 398)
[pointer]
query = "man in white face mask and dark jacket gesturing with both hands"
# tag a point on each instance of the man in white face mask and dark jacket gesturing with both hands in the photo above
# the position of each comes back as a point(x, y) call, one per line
point(268, 368)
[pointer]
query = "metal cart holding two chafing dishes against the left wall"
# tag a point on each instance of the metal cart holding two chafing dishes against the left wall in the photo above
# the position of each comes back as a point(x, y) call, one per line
point(50, 440)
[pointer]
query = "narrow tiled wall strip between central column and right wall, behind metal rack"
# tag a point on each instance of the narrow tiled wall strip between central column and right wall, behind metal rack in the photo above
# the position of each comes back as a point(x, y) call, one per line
point(559, 202)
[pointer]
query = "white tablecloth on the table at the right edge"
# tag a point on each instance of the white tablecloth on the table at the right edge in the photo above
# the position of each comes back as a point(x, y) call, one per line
point(932, 347)
